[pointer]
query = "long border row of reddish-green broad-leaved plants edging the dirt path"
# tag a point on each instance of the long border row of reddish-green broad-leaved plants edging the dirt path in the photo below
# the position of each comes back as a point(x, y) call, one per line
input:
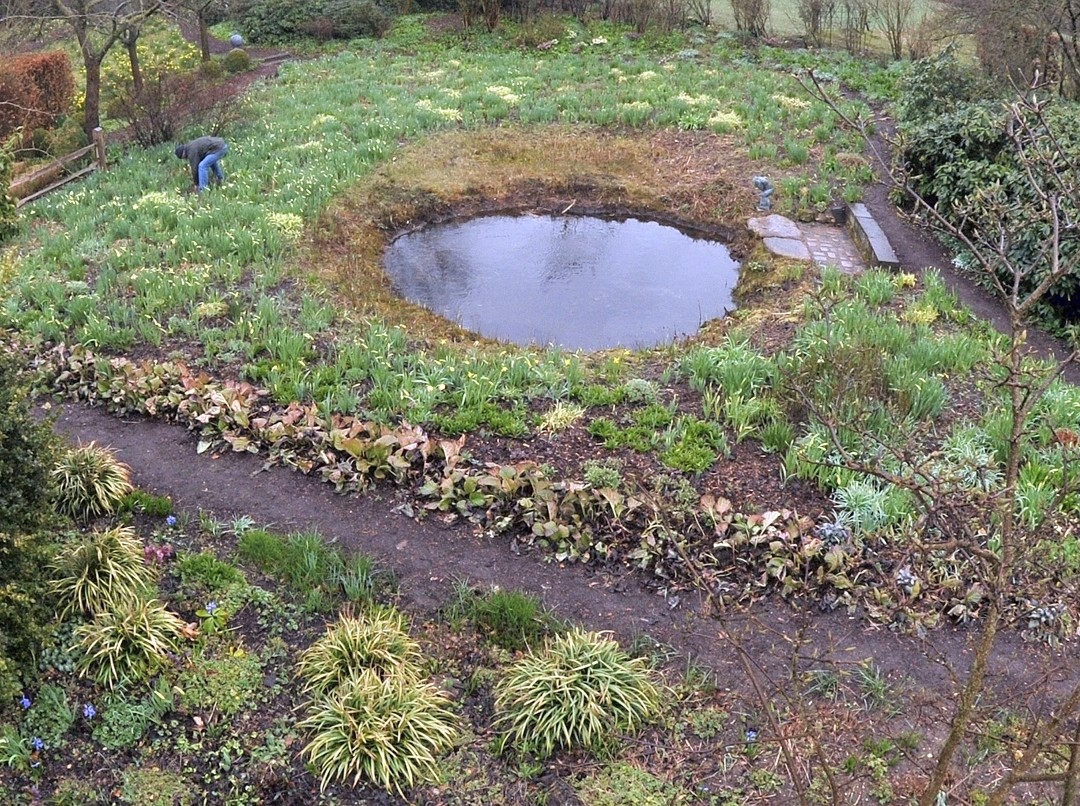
point(759, 553)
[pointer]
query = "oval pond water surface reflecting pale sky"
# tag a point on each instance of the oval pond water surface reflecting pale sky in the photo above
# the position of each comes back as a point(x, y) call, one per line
point(577, 283)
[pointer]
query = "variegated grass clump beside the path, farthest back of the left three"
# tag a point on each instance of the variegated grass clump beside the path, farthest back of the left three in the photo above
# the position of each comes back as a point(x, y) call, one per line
point(90, 482)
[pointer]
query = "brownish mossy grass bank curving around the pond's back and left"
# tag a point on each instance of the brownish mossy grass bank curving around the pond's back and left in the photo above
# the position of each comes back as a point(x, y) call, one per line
point(684, 179)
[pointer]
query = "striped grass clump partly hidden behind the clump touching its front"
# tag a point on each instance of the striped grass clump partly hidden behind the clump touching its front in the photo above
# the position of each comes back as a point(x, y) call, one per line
point(376, 642)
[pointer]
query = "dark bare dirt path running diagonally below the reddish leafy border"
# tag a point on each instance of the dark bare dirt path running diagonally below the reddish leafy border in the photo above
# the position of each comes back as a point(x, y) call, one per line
point(429, 558)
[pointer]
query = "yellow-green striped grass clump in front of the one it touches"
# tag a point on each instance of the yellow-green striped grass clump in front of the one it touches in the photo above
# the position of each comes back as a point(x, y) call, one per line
point(389, 731)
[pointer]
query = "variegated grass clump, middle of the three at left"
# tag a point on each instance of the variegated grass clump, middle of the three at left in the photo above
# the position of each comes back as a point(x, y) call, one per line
point(101, 573)
